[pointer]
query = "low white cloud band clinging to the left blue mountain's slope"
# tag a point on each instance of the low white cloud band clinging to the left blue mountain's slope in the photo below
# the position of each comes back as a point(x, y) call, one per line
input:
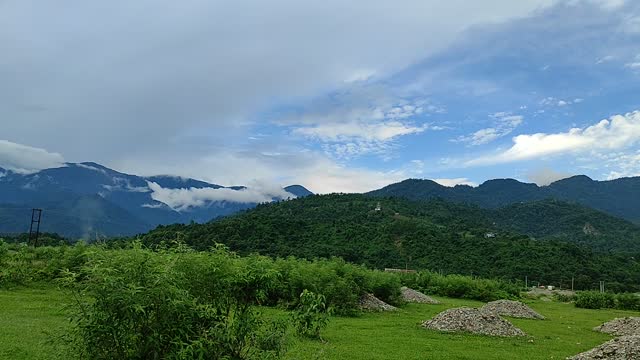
point(183, 199)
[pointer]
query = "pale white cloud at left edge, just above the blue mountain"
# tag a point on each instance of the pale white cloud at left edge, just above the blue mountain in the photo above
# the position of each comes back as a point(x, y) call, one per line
point(26, 159)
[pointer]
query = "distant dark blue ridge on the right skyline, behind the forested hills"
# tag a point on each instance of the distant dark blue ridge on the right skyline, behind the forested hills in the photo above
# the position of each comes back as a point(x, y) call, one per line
point(617, 197)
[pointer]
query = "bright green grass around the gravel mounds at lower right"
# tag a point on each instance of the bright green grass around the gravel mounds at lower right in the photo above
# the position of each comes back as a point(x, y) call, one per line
point(567, 331)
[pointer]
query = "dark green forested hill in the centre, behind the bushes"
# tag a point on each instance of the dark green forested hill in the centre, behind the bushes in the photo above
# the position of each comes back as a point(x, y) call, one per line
point(432, 235)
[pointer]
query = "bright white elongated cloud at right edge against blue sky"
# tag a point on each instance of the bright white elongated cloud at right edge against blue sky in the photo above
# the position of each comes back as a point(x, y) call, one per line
point(620, 131)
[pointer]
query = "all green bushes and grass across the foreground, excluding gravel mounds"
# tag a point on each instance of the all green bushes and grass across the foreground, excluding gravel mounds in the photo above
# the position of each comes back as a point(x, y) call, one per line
point(177, 303)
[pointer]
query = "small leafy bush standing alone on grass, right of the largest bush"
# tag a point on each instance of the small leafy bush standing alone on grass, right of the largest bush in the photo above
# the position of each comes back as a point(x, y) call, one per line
point(311, 315)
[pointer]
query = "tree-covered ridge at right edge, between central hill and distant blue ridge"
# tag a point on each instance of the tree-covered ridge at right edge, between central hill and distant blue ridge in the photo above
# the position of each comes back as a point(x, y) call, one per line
point(570, 222)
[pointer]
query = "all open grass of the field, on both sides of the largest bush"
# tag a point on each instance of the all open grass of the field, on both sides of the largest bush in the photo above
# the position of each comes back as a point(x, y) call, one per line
point(29, 317)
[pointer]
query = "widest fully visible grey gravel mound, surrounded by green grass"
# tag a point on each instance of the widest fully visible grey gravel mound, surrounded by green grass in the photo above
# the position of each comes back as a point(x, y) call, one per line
point(474, 321)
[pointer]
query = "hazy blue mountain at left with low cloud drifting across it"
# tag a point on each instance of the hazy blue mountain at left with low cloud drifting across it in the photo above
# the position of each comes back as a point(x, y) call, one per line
point(90, 201)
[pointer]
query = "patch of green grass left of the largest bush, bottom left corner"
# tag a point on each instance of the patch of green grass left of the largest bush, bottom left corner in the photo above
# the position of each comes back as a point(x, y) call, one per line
point(29, 319)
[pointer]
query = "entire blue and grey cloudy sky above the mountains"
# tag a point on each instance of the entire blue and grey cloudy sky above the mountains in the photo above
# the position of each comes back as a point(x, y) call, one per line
point(336, 96)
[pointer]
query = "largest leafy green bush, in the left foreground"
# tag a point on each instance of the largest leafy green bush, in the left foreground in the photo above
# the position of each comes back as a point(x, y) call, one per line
point(138, 307)
